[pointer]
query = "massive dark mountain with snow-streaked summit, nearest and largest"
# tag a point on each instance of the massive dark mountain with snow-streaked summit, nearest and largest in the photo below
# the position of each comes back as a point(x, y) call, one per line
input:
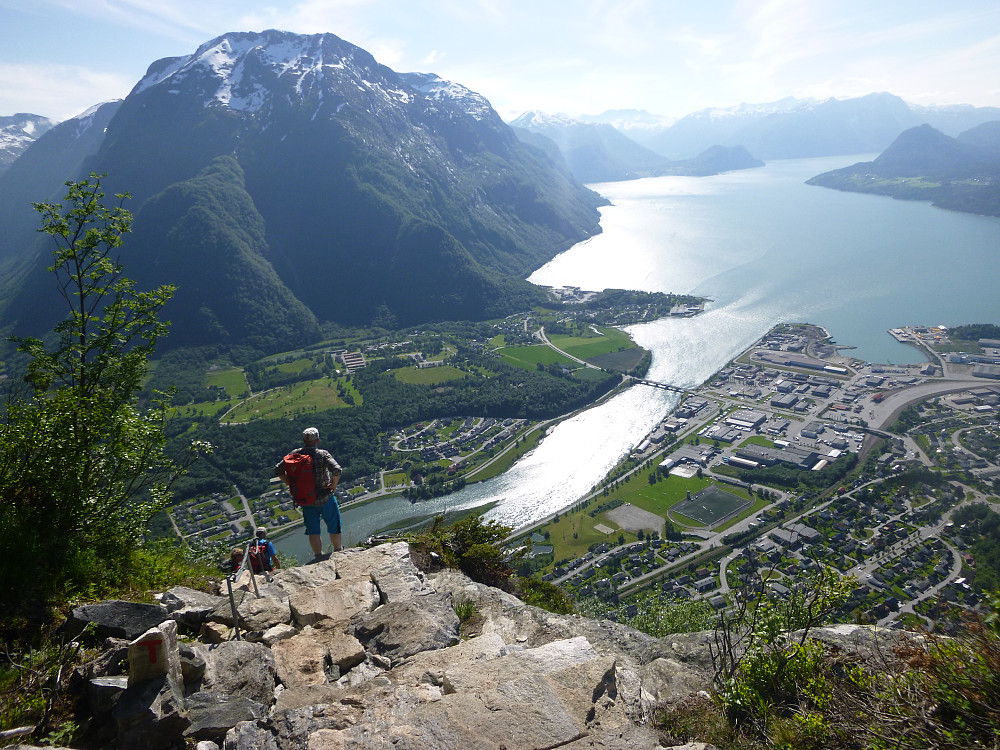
point(374, 190)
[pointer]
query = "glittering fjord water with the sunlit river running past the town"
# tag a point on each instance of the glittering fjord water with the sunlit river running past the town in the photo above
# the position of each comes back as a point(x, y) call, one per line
point(765, 248)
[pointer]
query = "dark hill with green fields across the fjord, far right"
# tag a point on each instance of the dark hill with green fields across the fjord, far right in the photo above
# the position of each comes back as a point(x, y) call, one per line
point(924, 164)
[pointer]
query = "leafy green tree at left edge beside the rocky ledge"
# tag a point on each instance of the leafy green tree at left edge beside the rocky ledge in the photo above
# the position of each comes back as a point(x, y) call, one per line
point(82, 465)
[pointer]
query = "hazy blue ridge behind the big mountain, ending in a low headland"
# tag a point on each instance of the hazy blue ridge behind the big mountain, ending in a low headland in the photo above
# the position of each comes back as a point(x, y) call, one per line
point(598, 152)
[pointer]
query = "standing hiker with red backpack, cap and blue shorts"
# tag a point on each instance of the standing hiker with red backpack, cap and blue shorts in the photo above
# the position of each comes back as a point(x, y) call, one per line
point(311, 474)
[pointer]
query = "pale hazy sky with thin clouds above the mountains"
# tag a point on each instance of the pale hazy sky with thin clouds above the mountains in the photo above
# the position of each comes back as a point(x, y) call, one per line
point(670, 57)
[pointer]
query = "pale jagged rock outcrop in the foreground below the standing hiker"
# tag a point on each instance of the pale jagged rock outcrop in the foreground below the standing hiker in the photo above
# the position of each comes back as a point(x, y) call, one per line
point(365, 651)
